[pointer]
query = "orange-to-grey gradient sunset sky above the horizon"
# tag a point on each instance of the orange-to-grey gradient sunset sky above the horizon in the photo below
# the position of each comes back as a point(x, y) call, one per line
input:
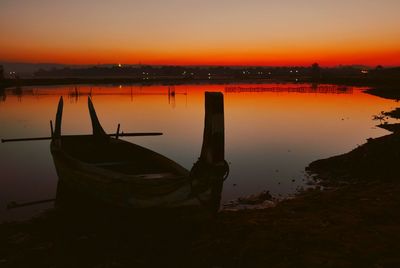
point(227, 32)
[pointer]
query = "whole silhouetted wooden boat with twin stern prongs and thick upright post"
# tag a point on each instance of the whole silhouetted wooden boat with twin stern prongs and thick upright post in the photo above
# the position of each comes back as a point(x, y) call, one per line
point(115, 172)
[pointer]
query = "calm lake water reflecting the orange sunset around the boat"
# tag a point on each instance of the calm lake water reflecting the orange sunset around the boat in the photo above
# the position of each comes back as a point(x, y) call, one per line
point(273, 131)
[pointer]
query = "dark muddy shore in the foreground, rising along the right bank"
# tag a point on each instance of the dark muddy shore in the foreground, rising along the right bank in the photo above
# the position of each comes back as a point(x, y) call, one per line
point(354, 222)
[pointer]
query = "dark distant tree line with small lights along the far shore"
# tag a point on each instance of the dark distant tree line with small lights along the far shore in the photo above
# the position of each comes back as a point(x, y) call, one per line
point(147, 72)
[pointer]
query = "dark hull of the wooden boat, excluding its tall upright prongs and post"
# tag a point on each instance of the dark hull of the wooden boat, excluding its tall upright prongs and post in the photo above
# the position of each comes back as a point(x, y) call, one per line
point(169, 186)
